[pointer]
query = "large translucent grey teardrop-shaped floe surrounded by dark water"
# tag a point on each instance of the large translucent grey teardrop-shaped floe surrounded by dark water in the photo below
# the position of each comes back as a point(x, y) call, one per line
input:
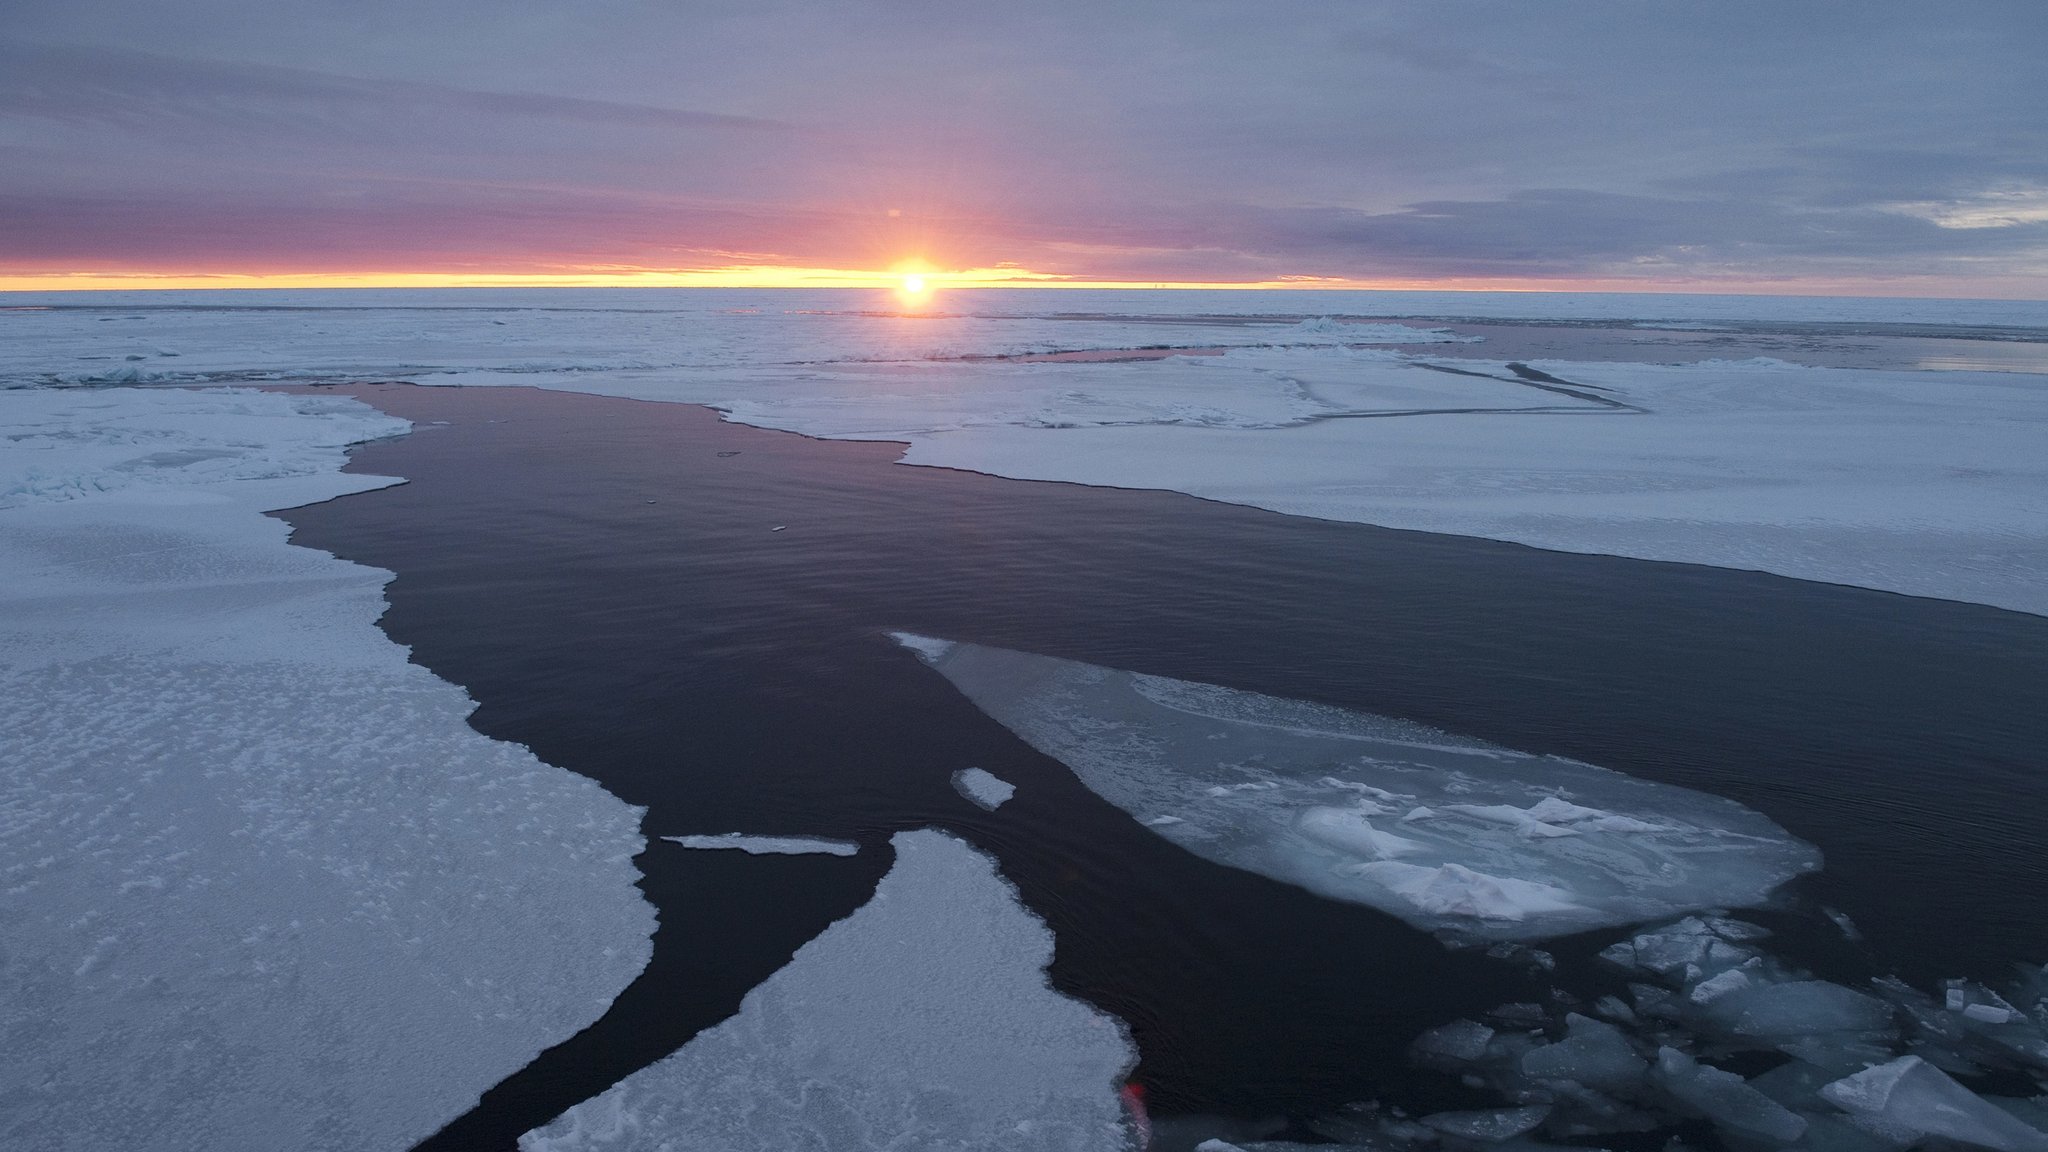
point(1457, 837)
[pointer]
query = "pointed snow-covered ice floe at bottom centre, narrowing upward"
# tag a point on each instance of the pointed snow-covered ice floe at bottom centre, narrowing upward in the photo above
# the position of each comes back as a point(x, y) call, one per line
point(921, 1022)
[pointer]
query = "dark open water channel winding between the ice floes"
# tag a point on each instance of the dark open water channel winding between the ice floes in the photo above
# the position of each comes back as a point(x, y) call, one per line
point(603, 577)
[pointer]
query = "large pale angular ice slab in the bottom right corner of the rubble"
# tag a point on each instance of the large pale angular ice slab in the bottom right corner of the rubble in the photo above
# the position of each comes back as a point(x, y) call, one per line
point(1912, 1100)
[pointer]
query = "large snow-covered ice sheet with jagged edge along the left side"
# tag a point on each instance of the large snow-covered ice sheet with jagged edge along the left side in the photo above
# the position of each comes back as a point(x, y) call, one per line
point(245, 844)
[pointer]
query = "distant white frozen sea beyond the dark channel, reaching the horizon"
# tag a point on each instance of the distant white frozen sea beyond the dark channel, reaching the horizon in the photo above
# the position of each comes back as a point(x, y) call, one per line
point(1922, 483)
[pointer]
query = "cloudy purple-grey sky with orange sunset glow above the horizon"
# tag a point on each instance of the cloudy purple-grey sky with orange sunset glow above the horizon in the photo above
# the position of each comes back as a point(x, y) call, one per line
point(1631, 145)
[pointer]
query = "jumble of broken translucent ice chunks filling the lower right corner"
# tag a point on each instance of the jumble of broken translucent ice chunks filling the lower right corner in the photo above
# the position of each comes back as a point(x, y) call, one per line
point(1850, 1079)
